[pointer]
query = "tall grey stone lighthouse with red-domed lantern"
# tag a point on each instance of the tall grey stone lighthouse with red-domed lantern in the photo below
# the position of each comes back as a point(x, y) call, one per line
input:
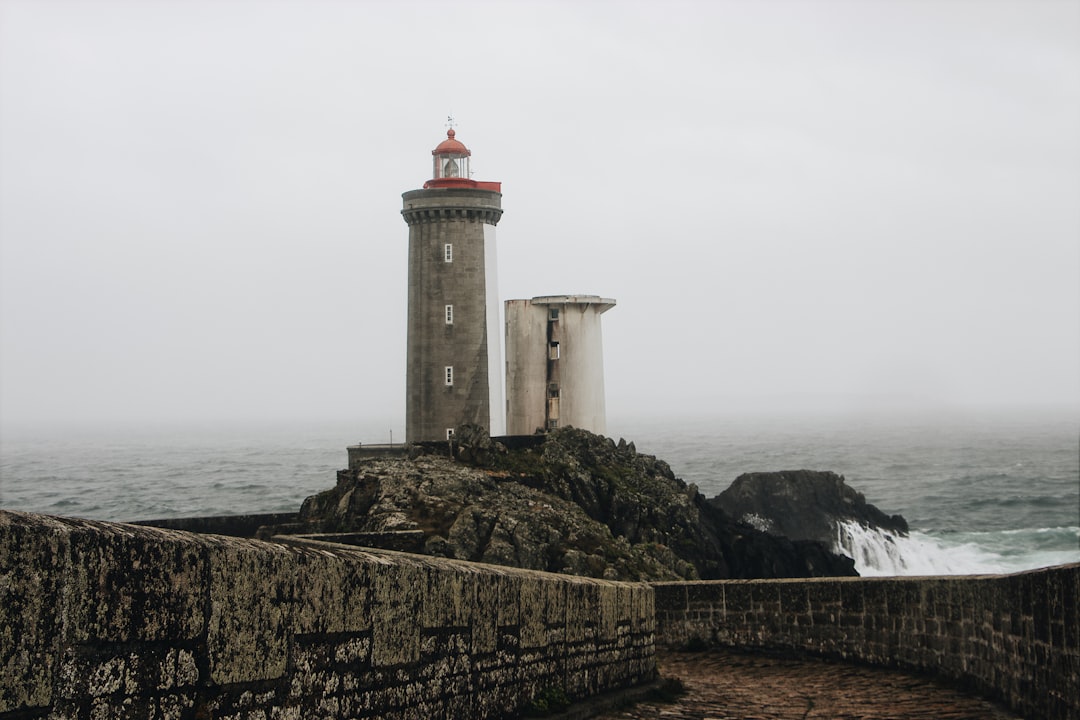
point(454, 372)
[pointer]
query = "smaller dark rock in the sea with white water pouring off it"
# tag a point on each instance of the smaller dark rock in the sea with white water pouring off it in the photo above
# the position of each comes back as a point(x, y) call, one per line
point(803, 505)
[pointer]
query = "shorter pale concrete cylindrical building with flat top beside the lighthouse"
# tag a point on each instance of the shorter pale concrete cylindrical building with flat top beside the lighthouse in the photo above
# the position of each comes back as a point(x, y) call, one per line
point(556, 364)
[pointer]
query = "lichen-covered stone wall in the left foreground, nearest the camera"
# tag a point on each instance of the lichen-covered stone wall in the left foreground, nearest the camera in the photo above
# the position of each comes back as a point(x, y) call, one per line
point(116, 621)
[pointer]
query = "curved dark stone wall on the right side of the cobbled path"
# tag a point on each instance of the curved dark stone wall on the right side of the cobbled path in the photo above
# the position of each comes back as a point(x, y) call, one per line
point(1009, 637)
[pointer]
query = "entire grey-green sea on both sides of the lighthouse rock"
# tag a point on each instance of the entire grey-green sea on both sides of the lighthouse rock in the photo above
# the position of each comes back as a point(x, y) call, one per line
point(982, 494)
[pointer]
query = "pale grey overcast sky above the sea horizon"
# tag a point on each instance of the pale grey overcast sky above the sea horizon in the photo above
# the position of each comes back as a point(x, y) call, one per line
point(798, 206)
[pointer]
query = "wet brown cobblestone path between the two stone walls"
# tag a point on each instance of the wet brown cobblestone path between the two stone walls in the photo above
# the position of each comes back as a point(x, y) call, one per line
point(728, 686)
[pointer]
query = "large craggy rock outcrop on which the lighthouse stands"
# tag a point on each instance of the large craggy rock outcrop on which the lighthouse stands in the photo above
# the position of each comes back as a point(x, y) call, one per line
point(576, 504)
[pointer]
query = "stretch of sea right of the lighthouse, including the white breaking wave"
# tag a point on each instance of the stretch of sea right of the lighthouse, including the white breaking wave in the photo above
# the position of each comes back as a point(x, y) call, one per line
point(982, 494)
